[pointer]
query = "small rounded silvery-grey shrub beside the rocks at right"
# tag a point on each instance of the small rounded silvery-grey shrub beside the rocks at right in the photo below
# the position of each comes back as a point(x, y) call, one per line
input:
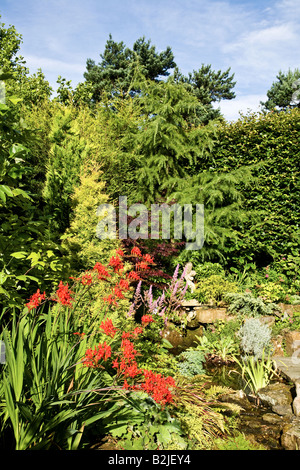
point(255, 337)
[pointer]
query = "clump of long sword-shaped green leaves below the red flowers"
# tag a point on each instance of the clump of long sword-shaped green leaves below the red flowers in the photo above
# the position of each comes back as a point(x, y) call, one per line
point(41, 380)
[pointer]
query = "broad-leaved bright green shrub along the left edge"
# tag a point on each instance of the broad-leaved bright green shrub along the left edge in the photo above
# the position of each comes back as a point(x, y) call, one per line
point(27, 255)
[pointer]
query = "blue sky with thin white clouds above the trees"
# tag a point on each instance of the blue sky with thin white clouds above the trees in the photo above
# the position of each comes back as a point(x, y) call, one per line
point(256, 38)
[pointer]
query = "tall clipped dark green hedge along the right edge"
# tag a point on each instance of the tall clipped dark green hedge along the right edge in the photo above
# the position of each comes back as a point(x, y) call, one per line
point(272, 140)
